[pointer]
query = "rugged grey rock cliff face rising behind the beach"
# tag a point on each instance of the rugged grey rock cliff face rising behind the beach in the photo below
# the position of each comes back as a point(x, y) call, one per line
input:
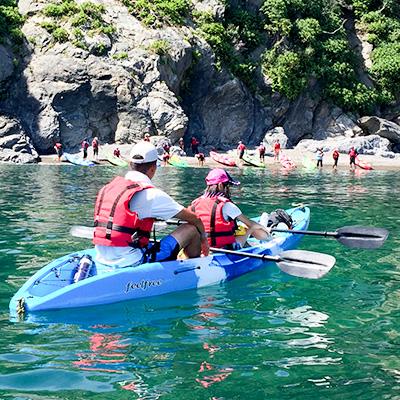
point(125, 80)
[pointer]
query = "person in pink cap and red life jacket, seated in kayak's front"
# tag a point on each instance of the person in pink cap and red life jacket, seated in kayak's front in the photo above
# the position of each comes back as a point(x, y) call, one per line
point(219, 214)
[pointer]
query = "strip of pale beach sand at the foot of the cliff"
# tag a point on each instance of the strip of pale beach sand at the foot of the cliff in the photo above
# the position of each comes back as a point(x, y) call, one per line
point(378, 163)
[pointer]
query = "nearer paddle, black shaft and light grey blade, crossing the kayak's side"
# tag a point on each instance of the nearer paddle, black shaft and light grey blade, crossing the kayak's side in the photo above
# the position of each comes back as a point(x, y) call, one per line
point(301, 263)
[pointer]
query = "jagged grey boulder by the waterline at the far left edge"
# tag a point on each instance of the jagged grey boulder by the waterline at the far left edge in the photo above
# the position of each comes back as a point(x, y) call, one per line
point(15, 145)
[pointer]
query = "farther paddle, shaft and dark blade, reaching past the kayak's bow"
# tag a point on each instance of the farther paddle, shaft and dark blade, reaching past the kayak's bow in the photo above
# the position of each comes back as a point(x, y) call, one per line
point(361, 237)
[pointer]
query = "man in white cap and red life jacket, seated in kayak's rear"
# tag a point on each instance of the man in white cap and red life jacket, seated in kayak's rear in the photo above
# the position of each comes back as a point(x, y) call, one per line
point(125, 211)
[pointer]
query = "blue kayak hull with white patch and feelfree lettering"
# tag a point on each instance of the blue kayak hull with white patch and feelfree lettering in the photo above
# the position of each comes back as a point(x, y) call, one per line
point(52, 287)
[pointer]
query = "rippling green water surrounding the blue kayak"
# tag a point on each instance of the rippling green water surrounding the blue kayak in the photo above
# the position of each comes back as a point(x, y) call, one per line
point(263, 335)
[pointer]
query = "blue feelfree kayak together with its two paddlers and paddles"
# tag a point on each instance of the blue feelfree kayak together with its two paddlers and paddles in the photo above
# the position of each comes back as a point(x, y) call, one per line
point(213, 241)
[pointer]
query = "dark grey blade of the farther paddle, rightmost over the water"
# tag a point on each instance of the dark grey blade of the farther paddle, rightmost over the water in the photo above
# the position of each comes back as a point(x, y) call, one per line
point(362, 237)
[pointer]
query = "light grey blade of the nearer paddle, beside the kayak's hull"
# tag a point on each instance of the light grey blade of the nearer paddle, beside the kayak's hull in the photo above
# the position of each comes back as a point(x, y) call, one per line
point(305, 264)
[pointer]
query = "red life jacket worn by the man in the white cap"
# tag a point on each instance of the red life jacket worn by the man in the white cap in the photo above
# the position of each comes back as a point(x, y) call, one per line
point(114, 222)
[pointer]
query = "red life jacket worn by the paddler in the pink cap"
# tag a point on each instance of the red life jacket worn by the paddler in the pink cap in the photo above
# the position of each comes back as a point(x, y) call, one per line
point(209, 209)
